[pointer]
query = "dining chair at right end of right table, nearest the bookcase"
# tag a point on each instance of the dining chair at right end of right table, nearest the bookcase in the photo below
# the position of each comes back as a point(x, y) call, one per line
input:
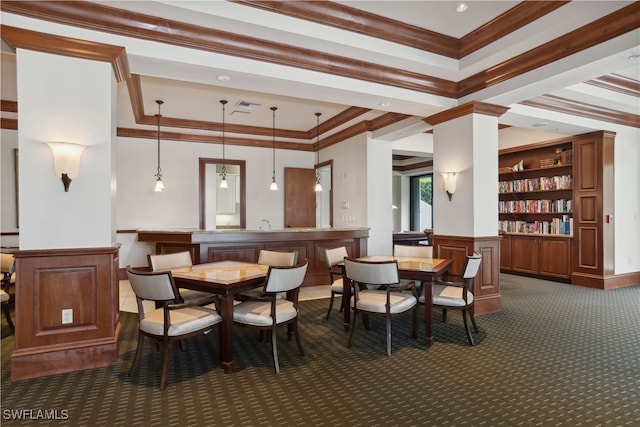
point(458, 295)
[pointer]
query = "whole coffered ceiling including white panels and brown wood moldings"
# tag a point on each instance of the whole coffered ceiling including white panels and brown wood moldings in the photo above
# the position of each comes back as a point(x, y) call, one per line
point(382, 66)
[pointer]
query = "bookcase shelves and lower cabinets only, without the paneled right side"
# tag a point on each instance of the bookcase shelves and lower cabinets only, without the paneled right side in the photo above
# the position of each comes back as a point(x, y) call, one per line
point(535, 212)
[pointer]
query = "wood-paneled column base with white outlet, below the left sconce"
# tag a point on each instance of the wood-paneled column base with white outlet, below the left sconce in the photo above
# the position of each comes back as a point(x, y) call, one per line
point(83, 280)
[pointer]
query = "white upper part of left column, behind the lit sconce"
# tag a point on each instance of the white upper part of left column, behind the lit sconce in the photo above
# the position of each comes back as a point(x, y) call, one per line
point(72, 100)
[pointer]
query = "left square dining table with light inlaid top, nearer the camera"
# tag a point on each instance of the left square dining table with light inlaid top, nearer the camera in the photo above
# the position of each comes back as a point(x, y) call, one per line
point(225, 279)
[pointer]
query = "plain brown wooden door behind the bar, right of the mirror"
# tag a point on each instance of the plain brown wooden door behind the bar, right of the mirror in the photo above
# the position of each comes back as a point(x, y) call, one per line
point(299, 197)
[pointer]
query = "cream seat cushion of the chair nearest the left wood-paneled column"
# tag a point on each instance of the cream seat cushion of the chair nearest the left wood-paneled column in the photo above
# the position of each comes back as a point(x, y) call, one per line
point(183, 320)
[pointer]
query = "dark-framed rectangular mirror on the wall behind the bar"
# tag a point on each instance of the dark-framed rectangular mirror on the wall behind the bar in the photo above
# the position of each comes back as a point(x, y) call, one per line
point(222, 208)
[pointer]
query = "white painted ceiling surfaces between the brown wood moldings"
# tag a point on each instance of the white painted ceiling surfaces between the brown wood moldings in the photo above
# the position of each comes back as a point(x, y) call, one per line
point(186, 79)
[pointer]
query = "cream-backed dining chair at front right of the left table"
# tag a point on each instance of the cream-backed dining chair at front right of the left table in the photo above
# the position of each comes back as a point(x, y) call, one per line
point(267, 311)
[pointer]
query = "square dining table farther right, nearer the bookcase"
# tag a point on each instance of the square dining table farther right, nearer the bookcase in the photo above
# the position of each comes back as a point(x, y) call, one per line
point(424, 270)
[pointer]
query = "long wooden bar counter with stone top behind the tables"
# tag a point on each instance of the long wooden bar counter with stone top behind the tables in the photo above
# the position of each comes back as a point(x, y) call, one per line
point(245, 244)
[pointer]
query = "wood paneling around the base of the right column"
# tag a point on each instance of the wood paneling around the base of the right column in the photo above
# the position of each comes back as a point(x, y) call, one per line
point(487, 283)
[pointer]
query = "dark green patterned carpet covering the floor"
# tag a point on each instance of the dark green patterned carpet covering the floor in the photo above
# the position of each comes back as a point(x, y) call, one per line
point(555, 355)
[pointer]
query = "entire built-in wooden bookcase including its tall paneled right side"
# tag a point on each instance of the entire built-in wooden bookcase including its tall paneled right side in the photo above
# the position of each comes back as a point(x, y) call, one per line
point(578, 247)
